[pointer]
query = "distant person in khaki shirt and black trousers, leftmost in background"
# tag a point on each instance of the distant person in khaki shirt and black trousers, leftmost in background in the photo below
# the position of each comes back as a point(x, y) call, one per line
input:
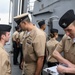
point(15, 39)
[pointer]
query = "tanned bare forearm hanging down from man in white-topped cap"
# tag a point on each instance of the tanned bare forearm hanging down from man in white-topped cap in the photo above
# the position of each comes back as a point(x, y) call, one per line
point(39, 65)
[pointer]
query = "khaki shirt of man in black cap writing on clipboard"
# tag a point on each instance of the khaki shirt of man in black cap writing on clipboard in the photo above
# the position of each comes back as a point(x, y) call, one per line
point(68, 47)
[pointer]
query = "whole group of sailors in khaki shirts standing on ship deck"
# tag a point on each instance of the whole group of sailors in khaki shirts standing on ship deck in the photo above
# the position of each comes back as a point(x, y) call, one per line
point(33, 46)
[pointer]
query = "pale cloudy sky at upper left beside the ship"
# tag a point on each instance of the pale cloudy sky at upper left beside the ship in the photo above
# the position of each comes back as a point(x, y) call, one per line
point(4, 11)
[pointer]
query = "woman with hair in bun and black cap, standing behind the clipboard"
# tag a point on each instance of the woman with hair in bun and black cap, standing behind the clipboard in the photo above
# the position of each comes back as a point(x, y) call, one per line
point(51, 44)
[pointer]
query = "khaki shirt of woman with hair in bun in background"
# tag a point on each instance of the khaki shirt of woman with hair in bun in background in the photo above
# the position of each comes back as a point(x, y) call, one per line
point(51, 44)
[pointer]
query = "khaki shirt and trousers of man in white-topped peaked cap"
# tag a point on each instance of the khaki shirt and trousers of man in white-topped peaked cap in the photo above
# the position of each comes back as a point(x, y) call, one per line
point(33, 47)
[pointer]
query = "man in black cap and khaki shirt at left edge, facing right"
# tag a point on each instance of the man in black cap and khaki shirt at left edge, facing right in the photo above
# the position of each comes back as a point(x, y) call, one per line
point(5, 68)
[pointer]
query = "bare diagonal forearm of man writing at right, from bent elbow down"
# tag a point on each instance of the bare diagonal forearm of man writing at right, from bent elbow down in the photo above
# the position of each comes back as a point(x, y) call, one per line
point(62, 60)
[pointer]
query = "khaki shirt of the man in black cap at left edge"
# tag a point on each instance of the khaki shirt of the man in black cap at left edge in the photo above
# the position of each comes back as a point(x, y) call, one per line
point(5, 68)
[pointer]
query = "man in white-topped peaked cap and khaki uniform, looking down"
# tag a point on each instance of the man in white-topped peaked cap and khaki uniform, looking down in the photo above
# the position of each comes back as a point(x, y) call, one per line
point(33, 45)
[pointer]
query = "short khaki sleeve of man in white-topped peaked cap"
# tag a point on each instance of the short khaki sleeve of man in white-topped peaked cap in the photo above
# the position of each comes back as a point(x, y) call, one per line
point(39, 45)
